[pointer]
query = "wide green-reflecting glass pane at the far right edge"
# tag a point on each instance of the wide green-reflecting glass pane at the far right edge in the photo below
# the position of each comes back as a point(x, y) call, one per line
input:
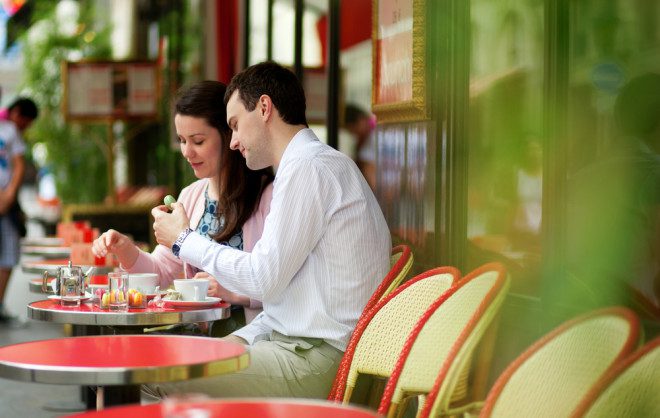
point(613, 232)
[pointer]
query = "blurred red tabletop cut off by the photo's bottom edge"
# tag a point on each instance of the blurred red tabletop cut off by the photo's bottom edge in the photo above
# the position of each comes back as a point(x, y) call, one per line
point(267, 408)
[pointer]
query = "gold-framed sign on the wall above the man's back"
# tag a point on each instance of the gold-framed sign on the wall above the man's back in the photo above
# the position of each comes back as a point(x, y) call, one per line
point(399, 33)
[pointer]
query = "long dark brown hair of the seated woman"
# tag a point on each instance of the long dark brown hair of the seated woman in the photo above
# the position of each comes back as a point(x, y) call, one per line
point(239, 188)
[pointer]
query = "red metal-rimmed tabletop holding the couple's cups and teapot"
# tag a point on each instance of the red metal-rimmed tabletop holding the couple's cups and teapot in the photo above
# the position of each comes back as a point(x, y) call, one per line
point(88, 314)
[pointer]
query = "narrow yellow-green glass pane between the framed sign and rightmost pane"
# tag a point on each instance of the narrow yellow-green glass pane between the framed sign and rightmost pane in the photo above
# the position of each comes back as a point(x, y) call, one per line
point(504, 133)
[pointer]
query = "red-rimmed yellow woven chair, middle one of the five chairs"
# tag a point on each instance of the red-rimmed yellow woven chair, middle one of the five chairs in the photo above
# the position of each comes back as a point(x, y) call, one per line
point(439, 349)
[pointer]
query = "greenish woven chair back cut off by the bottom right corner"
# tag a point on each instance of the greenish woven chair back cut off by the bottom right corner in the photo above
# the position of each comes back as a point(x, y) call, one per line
point(632, 389)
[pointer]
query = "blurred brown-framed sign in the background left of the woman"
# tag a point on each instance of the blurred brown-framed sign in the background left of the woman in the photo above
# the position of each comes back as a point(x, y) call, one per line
point(102, 90)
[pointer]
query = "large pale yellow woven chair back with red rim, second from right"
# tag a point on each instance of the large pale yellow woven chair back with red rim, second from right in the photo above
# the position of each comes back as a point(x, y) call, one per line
point(552, 376)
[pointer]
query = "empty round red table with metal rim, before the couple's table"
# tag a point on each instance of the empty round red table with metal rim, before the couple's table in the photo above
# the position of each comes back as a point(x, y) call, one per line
point(106, 360)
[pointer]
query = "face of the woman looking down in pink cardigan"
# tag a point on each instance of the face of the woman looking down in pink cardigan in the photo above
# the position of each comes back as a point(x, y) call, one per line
point(200, 145)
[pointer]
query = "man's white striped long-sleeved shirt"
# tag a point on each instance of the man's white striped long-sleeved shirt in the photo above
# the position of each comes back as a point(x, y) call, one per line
point(324, 249)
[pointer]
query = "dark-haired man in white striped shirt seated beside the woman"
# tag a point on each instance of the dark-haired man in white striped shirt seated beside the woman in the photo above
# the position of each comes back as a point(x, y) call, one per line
point(324, 249)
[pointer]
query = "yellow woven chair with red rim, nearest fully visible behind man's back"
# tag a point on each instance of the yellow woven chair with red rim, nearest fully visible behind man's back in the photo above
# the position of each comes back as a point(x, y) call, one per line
point(382, 331)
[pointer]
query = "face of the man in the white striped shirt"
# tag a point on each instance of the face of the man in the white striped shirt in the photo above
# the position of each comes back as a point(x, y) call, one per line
point(249, 135)
